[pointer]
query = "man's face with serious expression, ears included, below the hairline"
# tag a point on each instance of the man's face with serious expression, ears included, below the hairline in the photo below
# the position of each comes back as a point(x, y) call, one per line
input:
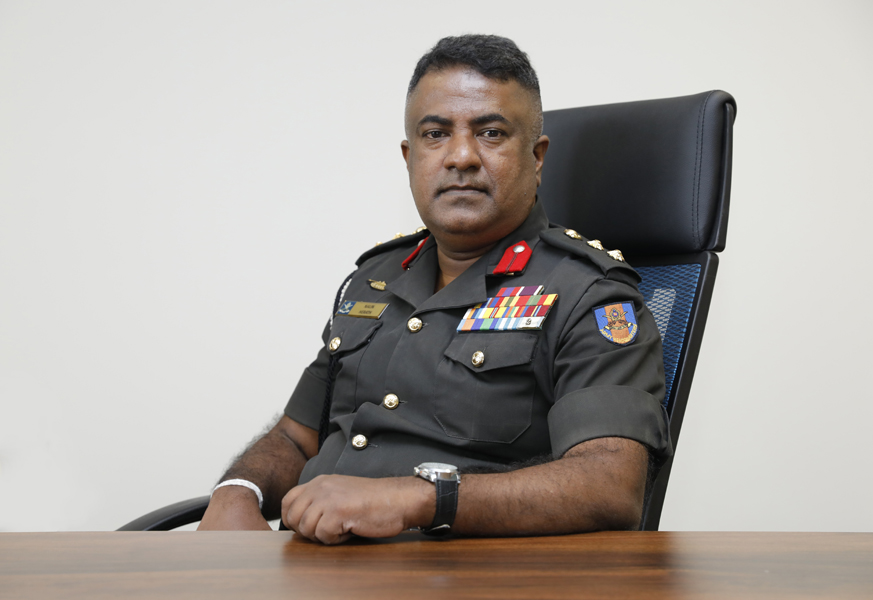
point(473, 157)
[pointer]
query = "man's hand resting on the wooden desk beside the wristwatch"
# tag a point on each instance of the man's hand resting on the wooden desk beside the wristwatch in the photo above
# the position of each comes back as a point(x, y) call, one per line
point(332, 508)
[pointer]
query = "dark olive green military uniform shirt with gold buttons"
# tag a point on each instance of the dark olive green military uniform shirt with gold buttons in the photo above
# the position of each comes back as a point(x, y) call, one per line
point(537, 392)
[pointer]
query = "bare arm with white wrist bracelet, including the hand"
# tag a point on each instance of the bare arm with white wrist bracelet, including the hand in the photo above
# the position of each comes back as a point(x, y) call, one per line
point(273, 463)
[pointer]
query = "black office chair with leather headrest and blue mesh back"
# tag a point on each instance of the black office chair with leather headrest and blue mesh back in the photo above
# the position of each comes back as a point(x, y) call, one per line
point(652, 179)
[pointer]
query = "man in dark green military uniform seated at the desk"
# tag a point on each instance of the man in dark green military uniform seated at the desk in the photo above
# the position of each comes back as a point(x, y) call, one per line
point(491, 374)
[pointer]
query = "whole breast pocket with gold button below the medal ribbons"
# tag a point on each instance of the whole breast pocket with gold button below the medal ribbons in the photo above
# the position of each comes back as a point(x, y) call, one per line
point(485, 386)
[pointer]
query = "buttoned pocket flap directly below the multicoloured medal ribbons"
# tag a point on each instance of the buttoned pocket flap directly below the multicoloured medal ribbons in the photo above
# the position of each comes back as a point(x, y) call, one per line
point(499, 349)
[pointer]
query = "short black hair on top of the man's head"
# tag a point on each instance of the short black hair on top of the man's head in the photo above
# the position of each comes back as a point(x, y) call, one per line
point(493, 56)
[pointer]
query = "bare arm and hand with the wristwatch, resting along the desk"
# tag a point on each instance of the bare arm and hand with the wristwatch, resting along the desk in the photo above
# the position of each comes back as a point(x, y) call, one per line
point(596, 485)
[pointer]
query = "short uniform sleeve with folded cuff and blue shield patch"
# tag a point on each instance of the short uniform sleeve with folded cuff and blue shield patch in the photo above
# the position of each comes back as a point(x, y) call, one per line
point(609, 388)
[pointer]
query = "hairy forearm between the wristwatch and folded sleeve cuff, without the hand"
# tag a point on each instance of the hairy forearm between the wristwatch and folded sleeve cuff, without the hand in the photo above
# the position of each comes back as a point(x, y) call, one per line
point(597, 485)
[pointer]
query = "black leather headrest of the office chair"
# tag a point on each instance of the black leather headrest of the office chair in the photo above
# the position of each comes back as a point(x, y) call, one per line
point(649, 178)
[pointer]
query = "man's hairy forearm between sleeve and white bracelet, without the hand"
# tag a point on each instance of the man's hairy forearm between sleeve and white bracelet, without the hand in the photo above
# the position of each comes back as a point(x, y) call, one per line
point(275, 461)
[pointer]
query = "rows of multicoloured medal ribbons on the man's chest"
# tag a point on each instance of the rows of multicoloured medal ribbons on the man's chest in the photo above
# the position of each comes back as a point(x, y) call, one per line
point(511, 310)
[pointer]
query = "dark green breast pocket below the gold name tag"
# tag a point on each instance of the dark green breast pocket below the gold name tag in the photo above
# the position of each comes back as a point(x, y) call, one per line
point(353, 335)
